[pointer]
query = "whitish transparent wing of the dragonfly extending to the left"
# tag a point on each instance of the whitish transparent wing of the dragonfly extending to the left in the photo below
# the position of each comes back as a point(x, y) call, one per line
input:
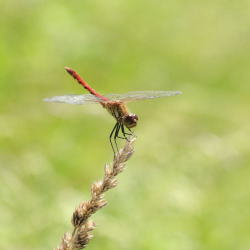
point(74, 99)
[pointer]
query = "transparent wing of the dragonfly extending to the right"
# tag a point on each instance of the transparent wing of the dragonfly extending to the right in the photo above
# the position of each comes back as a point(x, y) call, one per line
point(141, 95)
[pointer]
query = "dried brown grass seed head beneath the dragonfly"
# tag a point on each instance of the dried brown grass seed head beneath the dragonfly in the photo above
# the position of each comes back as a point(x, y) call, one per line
point(83, 227)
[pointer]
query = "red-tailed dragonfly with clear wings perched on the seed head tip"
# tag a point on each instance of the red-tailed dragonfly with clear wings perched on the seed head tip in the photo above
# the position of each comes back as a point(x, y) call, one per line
point(115, 104)
